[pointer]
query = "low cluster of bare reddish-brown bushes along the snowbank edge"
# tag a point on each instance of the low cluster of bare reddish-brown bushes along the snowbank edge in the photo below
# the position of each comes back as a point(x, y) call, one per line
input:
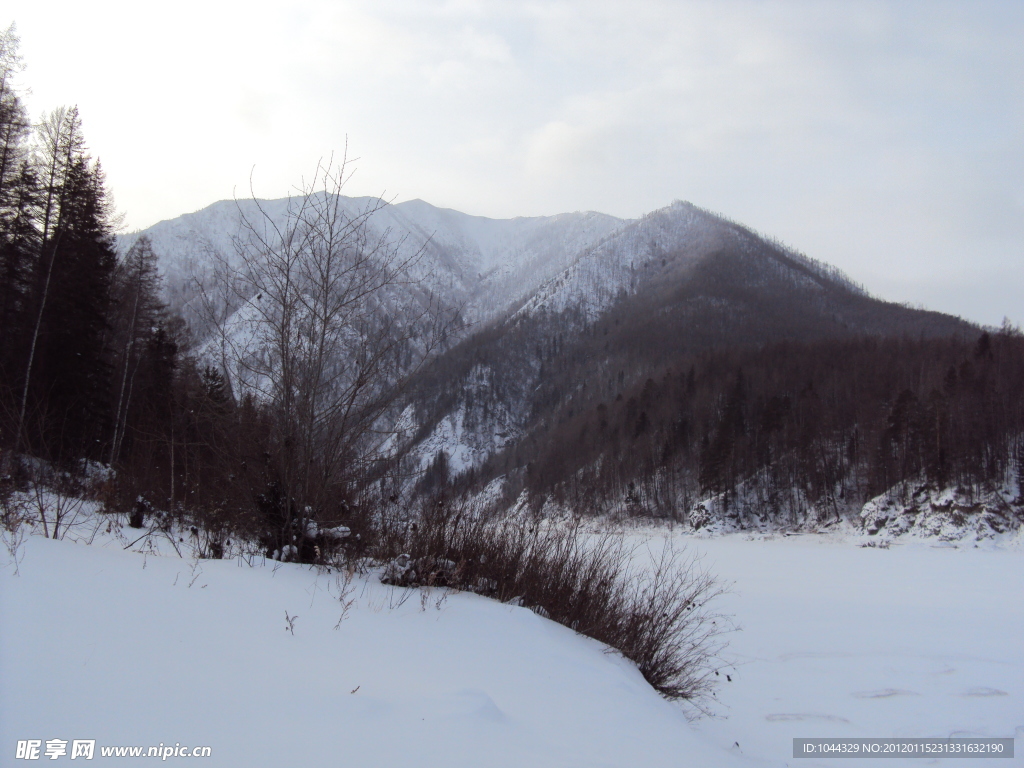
point(657, 614)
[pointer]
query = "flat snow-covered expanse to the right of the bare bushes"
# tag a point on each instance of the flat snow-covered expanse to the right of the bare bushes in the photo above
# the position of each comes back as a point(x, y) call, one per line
point(924, 639)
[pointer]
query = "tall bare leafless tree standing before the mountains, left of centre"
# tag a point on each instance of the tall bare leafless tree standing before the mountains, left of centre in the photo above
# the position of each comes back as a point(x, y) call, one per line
point(330, 323)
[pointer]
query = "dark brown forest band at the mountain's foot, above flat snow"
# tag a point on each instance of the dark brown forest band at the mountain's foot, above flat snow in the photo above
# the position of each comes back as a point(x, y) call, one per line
point(783, 432)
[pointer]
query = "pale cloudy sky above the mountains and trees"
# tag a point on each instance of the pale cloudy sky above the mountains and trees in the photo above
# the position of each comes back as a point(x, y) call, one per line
point(886, 139)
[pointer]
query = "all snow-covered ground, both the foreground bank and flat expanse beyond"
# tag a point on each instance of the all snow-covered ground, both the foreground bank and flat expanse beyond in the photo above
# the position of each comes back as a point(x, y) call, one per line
point(836, 641)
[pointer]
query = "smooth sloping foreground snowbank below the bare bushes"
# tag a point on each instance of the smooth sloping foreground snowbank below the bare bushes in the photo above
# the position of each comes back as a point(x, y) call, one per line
point(105, 645)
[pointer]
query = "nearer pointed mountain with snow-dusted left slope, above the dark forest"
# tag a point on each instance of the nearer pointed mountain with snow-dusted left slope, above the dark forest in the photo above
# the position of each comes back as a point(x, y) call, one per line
point(677, 281)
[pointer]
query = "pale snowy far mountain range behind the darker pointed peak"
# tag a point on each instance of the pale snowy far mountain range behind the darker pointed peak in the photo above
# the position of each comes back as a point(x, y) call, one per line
point(483, 265)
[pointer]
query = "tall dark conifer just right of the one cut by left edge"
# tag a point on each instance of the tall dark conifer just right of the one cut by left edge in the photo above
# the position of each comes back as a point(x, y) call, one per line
point(66, 386)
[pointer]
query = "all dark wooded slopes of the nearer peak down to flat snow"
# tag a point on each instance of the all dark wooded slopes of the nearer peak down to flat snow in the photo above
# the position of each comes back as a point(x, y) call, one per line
point(730, 379)
